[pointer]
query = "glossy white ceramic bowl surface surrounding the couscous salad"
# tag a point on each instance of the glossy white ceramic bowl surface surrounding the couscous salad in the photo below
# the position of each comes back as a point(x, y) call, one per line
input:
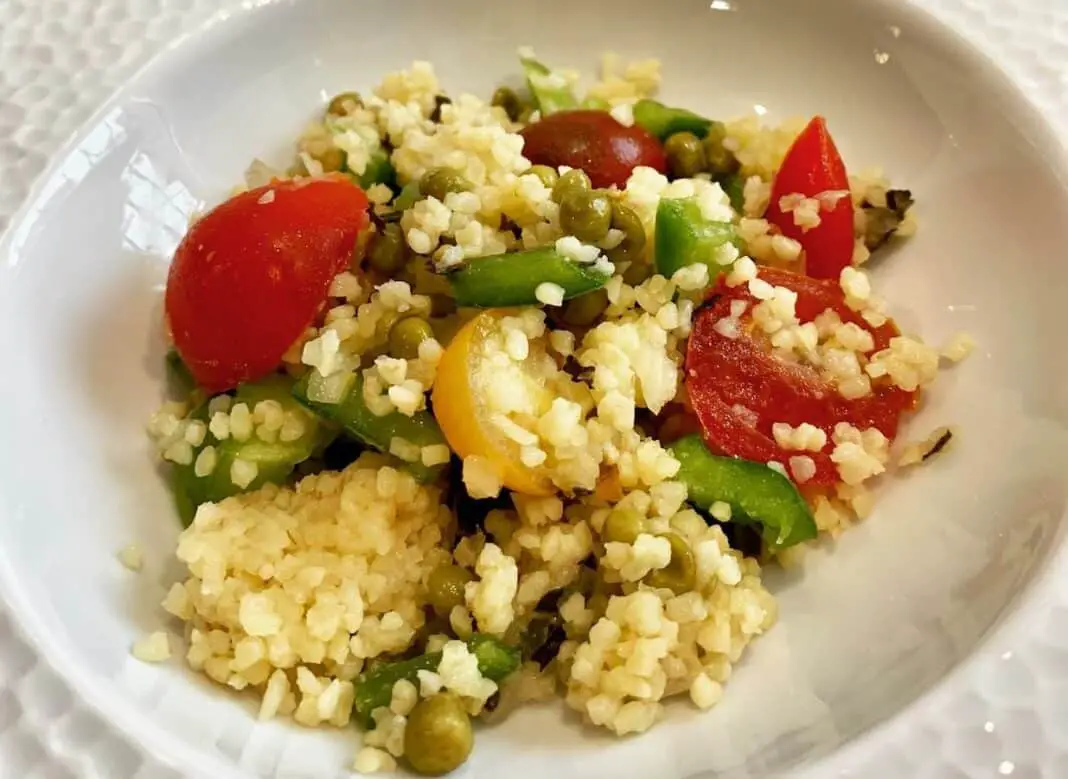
point(870, 625)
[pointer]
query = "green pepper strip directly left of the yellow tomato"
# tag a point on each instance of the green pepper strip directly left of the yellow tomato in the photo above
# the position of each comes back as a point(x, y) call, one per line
point(356, 419)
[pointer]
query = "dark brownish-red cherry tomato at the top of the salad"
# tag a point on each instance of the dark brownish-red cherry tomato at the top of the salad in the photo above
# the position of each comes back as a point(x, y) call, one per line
point(594, 142)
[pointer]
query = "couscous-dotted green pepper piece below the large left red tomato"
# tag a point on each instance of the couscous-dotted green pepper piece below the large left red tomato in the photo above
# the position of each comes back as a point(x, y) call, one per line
point(275, 462)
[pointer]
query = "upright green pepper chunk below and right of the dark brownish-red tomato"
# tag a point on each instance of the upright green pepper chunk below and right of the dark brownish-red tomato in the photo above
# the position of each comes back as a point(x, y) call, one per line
point(684, 238)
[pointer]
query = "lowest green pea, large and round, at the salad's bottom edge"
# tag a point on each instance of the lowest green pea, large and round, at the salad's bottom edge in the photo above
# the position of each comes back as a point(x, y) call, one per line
point(438, 738)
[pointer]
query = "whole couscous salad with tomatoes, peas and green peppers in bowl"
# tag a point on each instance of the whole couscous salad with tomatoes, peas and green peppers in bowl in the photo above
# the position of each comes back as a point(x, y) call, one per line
point(493, 401)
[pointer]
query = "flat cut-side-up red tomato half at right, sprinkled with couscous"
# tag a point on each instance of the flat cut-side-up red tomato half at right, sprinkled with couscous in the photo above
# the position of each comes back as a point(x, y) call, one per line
point(724, 373)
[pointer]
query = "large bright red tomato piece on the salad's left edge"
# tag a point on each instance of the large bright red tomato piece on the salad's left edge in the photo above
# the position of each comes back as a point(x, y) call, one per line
point(252, 275)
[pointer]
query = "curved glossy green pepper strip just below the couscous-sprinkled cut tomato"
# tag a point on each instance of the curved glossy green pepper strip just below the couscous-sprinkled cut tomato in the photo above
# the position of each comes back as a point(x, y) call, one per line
point(753, 490)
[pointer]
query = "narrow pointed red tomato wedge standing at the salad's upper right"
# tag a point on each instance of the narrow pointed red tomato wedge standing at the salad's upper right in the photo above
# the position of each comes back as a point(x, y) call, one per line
point(813, 166)
